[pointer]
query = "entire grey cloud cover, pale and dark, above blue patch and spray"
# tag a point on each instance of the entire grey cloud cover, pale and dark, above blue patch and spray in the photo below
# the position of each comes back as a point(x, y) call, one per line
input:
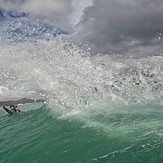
point(127, 27)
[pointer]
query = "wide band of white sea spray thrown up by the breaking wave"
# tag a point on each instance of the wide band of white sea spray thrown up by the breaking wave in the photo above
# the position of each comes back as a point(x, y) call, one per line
point(68, 76)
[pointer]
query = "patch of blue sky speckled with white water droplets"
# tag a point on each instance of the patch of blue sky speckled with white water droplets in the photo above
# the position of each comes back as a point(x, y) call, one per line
point(18, 27)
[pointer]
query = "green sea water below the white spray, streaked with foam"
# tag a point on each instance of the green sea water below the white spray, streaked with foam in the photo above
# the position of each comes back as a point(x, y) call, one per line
point(130, 134)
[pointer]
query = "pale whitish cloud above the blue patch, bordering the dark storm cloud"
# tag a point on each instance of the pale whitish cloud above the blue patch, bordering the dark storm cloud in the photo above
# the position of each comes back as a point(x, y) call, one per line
point(62, 13)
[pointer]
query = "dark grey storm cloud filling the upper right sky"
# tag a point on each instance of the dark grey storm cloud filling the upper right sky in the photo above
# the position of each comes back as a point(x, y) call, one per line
point(121, 26)
